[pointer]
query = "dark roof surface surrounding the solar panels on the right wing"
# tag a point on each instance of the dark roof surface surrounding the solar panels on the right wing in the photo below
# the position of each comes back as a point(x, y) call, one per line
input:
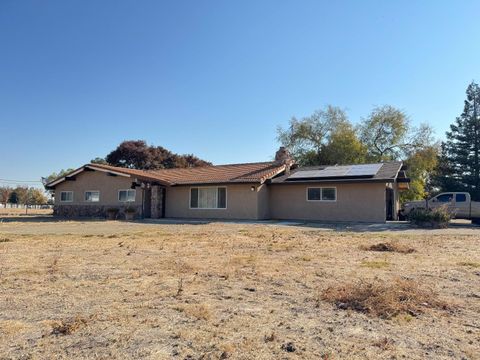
point(388, 172)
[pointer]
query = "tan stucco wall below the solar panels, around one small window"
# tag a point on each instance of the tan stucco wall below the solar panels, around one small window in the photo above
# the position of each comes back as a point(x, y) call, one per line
point(355, 202)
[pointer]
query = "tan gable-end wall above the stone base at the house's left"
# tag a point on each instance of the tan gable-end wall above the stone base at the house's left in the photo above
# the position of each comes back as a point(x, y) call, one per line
point(96, 180)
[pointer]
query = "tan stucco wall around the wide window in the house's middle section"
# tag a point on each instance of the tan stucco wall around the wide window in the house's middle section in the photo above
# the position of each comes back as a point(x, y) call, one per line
point(241, 204)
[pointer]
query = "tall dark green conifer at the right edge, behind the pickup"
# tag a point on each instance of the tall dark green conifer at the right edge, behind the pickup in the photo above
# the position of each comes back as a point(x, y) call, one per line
point(459, 168)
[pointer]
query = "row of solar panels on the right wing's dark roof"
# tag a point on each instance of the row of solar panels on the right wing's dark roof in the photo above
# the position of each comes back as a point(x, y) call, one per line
point(366, 170)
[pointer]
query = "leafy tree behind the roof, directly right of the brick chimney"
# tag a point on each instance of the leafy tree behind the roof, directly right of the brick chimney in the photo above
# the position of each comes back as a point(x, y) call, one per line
point(325, 137)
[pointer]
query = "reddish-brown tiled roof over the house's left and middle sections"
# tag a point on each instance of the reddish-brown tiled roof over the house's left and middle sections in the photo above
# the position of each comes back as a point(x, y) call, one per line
point(233, 173)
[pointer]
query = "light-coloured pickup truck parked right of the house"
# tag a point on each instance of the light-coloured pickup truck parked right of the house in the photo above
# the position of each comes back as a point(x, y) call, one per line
point(459, 203)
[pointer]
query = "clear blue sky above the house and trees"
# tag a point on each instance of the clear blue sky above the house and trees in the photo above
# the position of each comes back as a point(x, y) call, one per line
point(215, 78)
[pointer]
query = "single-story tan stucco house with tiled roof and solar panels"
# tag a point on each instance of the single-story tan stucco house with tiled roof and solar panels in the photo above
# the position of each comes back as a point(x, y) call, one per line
point(267, 190)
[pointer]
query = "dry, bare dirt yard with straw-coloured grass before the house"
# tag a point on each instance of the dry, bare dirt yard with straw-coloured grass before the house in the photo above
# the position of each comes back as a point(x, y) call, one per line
point(97, 289)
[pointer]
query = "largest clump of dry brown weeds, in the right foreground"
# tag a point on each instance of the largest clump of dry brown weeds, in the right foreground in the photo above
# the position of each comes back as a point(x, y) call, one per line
point(384, 299)
